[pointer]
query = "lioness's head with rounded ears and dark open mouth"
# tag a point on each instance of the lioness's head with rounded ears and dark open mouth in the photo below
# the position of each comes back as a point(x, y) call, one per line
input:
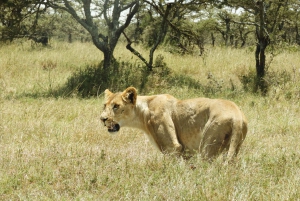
point(118, 108)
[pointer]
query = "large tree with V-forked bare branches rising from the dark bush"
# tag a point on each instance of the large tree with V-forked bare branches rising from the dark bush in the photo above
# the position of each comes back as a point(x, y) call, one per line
point(89, 13)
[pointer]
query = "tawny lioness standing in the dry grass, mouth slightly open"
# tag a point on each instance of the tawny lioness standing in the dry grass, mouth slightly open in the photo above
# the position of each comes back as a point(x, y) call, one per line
point(207, 126)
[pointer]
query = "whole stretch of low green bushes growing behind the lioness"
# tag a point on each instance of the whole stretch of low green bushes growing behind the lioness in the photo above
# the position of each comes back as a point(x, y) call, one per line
point(92, 80)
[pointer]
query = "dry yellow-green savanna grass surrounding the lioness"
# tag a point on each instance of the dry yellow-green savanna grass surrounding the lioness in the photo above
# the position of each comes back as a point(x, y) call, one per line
point(55, 148)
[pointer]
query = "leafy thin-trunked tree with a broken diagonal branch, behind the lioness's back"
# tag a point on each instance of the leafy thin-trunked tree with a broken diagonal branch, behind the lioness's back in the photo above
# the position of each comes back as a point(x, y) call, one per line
point(164, 16)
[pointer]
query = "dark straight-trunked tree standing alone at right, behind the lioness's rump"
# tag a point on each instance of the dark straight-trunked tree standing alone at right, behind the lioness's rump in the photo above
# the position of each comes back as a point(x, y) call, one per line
point(268, 19)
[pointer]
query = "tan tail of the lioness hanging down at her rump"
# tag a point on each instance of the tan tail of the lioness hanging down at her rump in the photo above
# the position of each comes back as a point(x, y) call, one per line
point(239, 131)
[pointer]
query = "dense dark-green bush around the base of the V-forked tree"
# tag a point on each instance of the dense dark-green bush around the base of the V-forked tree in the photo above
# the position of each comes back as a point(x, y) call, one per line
point(94, 79)
